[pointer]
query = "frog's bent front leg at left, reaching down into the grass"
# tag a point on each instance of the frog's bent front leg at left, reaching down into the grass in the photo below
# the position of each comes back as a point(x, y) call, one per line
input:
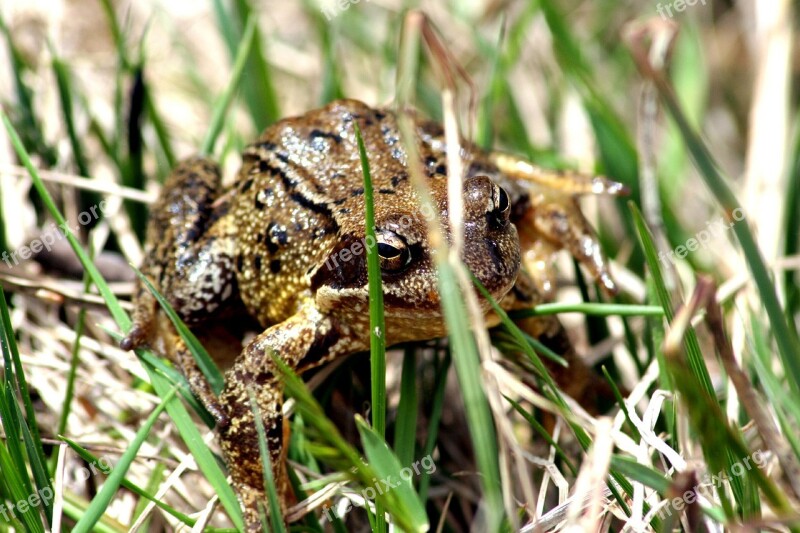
point(305, 340)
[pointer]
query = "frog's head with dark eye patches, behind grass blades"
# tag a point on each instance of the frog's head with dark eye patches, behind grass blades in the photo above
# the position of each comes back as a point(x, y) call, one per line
point(411, 295)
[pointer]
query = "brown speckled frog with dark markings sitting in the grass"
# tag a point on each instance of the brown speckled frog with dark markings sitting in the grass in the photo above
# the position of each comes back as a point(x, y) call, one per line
point(284, 246)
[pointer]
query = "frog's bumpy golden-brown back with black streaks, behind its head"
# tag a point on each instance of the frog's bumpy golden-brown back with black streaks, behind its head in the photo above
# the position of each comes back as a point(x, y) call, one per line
point(300, 193)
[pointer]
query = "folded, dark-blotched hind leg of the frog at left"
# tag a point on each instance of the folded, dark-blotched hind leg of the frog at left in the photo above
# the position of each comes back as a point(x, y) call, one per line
point(189, 261)
